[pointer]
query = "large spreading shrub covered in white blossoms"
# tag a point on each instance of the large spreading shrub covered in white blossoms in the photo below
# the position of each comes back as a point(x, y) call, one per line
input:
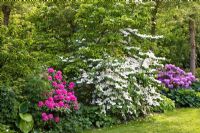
point(123, 86)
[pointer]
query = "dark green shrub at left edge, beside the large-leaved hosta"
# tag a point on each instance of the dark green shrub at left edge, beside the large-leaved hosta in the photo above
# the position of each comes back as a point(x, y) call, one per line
point(8, 106)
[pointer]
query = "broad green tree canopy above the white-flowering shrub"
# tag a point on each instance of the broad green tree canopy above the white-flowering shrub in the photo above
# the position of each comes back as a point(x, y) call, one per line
point(68, 28)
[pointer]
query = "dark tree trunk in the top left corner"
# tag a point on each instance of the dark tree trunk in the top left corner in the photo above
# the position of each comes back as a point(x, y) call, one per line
point(6, 14)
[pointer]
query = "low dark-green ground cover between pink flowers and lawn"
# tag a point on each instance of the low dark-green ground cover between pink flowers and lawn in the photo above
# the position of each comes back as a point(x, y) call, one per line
point(84, 118)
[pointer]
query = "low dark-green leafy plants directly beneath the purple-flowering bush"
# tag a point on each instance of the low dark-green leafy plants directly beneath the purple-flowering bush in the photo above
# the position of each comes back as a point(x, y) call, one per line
point(185, 97)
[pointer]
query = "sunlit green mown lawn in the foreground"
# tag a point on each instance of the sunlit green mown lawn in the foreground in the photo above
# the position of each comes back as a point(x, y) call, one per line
point(178, 121)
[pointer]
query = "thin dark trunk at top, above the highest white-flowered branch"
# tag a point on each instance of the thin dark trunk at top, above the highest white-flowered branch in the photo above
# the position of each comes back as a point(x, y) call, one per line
point(154, 17)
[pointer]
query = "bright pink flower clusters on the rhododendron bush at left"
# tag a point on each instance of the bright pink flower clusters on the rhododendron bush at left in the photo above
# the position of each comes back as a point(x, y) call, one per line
point(60, 99)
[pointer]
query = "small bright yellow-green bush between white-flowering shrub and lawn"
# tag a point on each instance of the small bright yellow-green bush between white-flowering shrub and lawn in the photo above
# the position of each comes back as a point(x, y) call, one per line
point(166, 104)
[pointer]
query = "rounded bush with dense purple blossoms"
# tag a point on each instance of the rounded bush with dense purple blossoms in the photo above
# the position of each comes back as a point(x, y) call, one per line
point(174, 77)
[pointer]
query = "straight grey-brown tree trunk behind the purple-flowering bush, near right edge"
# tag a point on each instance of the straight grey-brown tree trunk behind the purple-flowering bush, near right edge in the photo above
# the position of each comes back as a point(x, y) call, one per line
point(192, 33)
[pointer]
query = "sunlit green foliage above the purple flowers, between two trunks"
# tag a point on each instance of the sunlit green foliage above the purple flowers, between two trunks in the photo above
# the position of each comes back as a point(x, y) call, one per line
point(172, 22)
